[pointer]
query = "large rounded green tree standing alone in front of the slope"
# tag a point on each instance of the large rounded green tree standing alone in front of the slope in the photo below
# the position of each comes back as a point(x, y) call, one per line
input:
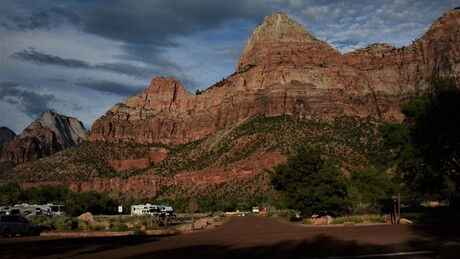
point(311, 184)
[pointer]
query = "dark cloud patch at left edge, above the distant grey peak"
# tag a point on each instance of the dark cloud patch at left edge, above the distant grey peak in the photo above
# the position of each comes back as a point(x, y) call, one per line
point(25, 99)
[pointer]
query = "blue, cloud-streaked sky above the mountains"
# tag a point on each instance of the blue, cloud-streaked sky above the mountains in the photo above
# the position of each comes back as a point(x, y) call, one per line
point(81, 57)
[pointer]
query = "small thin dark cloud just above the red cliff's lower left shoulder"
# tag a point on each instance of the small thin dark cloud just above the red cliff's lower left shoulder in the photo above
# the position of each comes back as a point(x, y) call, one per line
point(109, 87)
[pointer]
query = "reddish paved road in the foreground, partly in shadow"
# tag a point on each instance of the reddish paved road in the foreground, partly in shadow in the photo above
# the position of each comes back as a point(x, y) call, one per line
point(252, 237)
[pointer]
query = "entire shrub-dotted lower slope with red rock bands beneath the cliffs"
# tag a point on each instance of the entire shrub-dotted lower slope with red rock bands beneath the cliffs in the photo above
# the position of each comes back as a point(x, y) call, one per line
point(190, 170)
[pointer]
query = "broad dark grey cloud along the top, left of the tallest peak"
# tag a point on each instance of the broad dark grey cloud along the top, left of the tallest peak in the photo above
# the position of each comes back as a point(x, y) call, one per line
point(155, 22)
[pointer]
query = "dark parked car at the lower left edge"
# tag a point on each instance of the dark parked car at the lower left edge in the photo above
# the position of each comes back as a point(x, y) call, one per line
point(11, 225)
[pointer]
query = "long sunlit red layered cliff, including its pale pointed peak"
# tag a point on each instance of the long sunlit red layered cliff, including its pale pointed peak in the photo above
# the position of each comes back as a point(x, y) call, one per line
point(285, 70)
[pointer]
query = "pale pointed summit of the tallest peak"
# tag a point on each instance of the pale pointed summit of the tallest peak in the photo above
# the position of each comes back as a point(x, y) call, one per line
point(276, 40)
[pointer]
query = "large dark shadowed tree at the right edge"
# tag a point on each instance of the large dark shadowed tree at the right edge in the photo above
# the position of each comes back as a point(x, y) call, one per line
point(426, 146)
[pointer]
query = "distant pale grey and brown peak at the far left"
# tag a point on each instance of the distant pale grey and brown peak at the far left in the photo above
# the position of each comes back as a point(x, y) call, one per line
point(47, 135)
